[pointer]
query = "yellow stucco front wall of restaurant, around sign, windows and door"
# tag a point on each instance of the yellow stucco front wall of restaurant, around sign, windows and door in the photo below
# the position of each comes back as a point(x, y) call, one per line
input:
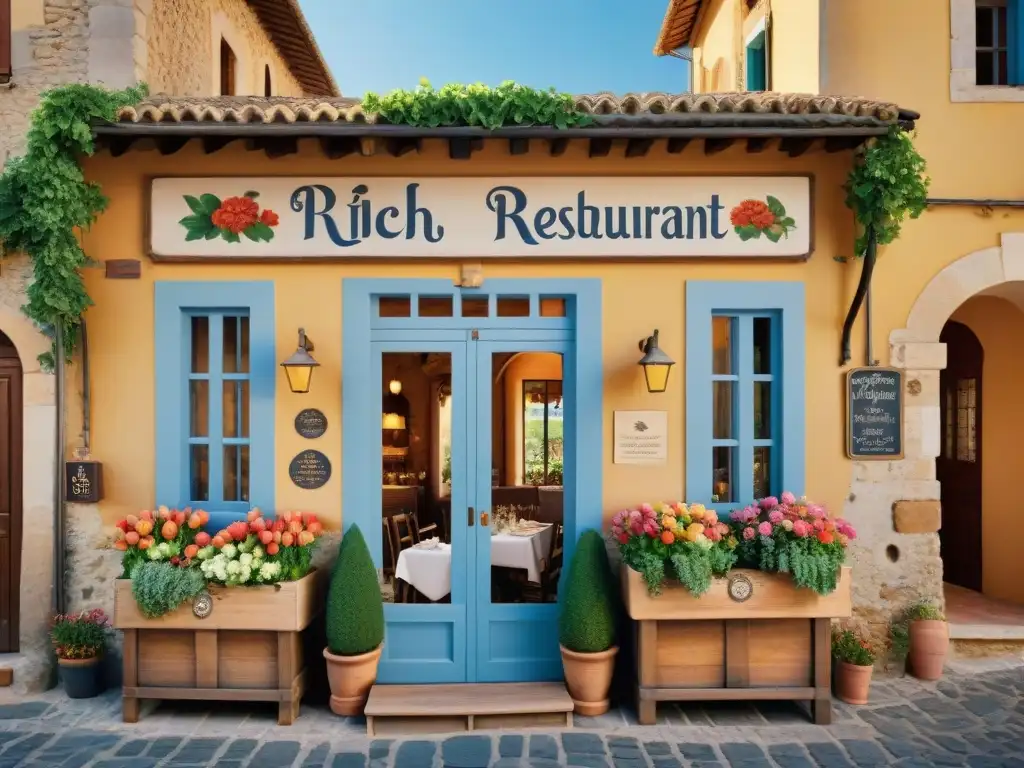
point(637, 298)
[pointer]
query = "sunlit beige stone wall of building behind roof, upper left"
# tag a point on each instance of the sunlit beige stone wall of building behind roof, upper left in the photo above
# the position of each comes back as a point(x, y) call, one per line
point(185, 50)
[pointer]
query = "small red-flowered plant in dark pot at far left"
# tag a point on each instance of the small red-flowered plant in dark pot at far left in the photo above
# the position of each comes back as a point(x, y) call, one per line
point(80, 641)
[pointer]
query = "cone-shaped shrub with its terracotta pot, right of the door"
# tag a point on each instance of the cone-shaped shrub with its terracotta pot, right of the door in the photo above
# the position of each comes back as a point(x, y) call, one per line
point(587, 626)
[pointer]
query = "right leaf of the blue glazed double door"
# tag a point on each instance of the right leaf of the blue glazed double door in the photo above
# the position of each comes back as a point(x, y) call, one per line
point(521, 407)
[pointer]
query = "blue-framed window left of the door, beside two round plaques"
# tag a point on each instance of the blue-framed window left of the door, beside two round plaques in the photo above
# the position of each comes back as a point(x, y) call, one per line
point(216, 397)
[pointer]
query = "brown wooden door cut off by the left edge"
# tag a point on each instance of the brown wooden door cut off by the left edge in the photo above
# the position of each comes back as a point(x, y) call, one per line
point(11, 494)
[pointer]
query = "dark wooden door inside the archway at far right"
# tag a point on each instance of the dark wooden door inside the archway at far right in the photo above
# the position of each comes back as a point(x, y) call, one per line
point(959, 465)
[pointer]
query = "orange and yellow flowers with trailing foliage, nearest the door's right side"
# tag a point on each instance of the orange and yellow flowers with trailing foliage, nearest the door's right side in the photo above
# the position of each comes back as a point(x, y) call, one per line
point(687, 542)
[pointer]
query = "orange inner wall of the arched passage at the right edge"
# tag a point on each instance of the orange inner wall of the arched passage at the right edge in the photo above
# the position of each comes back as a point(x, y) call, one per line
point(1000, 327)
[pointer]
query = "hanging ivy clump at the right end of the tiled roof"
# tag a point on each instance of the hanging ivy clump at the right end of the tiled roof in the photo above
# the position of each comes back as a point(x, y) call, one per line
point(886, 187)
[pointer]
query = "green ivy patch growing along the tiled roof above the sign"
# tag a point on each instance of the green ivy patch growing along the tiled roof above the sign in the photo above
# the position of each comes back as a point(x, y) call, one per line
point(482, 106)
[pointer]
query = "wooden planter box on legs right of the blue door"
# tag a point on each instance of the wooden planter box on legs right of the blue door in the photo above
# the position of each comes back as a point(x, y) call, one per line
point(775, 645)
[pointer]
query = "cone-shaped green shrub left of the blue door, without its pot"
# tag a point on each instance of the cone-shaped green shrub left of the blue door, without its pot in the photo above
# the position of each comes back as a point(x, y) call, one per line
point(355, 609)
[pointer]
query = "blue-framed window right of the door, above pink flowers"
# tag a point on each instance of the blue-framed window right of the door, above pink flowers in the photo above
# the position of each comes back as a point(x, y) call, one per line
point(745, 392)
